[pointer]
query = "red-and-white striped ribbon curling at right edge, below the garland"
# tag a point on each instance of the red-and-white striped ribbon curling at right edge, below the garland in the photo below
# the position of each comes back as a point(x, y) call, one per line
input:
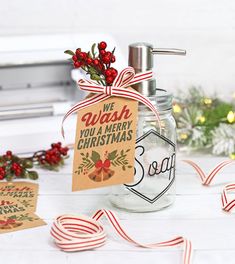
point(227, 205)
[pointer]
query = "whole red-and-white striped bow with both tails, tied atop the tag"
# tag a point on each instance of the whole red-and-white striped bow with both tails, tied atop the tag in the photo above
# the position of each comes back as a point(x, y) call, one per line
point(125, 78)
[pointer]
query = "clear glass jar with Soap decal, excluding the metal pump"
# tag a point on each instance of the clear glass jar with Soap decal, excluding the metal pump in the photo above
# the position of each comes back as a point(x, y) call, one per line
point(154, 181)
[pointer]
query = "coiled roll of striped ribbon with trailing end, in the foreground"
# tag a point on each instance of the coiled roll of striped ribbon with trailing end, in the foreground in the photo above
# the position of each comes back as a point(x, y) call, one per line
point(77, 233)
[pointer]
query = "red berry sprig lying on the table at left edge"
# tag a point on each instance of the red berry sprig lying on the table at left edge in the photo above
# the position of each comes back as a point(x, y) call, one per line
point(12, 166)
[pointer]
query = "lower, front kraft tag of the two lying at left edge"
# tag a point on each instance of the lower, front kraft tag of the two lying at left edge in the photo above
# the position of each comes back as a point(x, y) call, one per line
point(15, 216)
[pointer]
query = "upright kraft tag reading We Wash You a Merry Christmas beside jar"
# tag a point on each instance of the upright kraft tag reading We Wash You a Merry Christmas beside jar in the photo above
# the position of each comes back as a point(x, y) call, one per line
point(105, 144)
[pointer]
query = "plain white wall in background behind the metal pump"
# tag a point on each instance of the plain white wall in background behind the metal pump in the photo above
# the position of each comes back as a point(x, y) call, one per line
point(206, 29)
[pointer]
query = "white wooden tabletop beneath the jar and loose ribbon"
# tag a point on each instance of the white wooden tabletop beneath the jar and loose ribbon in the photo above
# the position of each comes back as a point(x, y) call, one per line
point(196, 214)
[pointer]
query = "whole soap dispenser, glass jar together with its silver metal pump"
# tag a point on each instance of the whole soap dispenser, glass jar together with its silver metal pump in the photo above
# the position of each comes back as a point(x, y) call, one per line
point(155, 151)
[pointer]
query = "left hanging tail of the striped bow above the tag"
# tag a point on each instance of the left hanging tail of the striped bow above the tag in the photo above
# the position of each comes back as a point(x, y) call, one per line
point(80, 105)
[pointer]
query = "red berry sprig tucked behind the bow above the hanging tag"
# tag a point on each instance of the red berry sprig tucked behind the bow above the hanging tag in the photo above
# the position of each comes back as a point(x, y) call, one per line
point(98, 66)
